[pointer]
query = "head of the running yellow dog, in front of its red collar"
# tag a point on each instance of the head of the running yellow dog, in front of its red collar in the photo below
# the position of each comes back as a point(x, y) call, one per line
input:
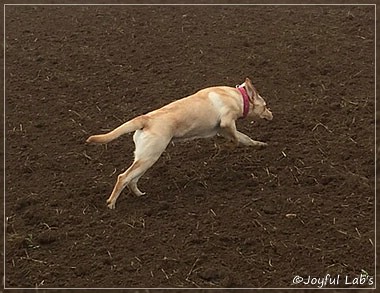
point(258, 106)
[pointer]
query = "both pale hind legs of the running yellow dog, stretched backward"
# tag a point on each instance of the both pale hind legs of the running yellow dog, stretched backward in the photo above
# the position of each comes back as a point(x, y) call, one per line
point(148, 150)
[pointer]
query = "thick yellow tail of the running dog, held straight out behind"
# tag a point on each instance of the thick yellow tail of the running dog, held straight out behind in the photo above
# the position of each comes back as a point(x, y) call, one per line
point(129, 126)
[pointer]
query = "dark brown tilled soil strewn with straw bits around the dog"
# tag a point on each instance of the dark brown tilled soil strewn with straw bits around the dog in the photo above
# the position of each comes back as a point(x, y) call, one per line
point(213, 216)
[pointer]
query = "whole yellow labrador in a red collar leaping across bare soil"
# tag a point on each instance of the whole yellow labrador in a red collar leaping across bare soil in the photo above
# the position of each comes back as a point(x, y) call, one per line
point(206, 113)
